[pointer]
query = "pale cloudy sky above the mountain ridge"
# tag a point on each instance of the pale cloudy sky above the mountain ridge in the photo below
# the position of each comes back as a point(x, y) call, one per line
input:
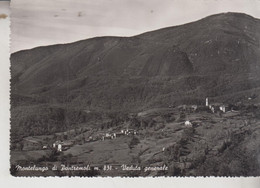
point(39, 23)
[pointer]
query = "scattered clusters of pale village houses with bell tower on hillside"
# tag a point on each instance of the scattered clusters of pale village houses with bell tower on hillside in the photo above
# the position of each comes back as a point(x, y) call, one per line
point(63, 143)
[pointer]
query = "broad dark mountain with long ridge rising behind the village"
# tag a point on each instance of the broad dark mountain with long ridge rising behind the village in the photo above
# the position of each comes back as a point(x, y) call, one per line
point(215, 57)
